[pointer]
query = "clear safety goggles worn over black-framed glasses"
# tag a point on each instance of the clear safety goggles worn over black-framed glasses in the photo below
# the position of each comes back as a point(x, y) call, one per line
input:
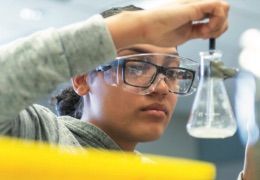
point(141, 73)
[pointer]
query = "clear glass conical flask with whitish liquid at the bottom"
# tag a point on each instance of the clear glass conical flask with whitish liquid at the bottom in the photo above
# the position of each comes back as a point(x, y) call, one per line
point(211, 115)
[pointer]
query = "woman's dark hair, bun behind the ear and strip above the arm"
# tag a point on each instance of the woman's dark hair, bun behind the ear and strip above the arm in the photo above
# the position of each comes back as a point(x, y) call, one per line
point(68, 102)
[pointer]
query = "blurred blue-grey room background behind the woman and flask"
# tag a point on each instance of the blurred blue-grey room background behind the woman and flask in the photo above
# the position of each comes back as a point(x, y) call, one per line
point(22, 17)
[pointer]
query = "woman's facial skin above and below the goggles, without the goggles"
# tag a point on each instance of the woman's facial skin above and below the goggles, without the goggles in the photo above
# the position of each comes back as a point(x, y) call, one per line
point(126, 116)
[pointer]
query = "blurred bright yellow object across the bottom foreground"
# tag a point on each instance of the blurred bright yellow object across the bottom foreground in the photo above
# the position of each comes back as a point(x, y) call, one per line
point(23, 160)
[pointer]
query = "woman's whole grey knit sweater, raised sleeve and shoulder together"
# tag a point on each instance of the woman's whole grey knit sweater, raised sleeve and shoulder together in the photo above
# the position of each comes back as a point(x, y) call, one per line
point(30, 68)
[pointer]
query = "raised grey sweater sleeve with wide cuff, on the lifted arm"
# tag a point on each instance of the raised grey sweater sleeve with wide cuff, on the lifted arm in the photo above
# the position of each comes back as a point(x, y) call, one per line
point(30, 68)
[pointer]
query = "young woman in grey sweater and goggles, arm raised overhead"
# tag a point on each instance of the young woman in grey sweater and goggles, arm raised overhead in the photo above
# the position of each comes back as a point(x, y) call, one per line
point(126, 100)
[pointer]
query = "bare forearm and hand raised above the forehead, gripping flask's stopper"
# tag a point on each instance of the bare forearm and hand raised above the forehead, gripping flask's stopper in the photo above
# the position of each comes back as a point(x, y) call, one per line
point(158, 26)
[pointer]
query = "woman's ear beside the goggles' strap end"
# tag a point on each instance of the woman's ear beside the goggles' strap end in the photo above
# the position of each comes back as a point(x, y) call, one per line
point(80, 84)
